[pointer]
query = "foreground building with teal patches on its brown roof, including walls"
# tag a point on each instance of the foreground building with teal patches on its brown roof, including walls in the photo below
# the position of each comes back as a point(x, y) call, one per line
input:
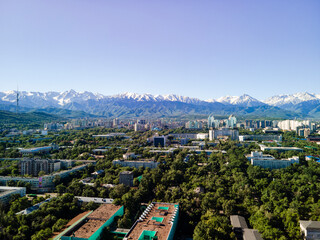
point(158, 221)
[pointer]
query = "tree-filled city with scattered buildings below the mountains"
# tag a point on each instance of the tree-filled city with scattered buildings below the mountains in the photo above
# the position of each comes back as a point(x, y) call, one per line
point(150, 178)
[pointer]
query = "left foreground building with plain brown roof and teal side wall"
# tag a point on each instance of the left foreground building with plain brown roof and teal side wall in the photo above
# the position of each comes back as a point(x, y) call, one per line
point(92, 225)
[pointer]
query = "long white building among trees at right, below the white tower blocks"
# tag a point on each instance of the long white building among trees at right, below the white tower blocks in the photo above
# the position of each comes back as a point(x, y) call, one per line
point(268, 161)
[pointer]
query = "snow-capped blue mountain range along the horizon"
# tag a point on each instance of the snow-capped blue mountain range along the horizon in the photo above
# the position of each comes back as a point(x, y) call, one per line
point(125, 103)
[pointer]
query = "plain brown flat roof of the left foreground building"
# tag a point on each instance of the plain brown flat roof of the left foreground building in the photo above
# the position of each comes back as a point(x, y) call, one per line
point(95, 220)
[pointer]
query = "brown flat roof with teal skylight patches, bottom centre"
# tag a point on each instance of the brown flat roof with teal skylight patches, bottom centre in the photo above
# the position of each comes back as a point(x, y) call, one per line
point(157, 220)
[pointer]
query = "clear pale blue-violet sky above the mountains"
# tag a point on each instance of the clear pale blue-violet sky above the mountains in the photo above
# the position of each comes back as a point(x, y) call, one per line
point(198, 48)
